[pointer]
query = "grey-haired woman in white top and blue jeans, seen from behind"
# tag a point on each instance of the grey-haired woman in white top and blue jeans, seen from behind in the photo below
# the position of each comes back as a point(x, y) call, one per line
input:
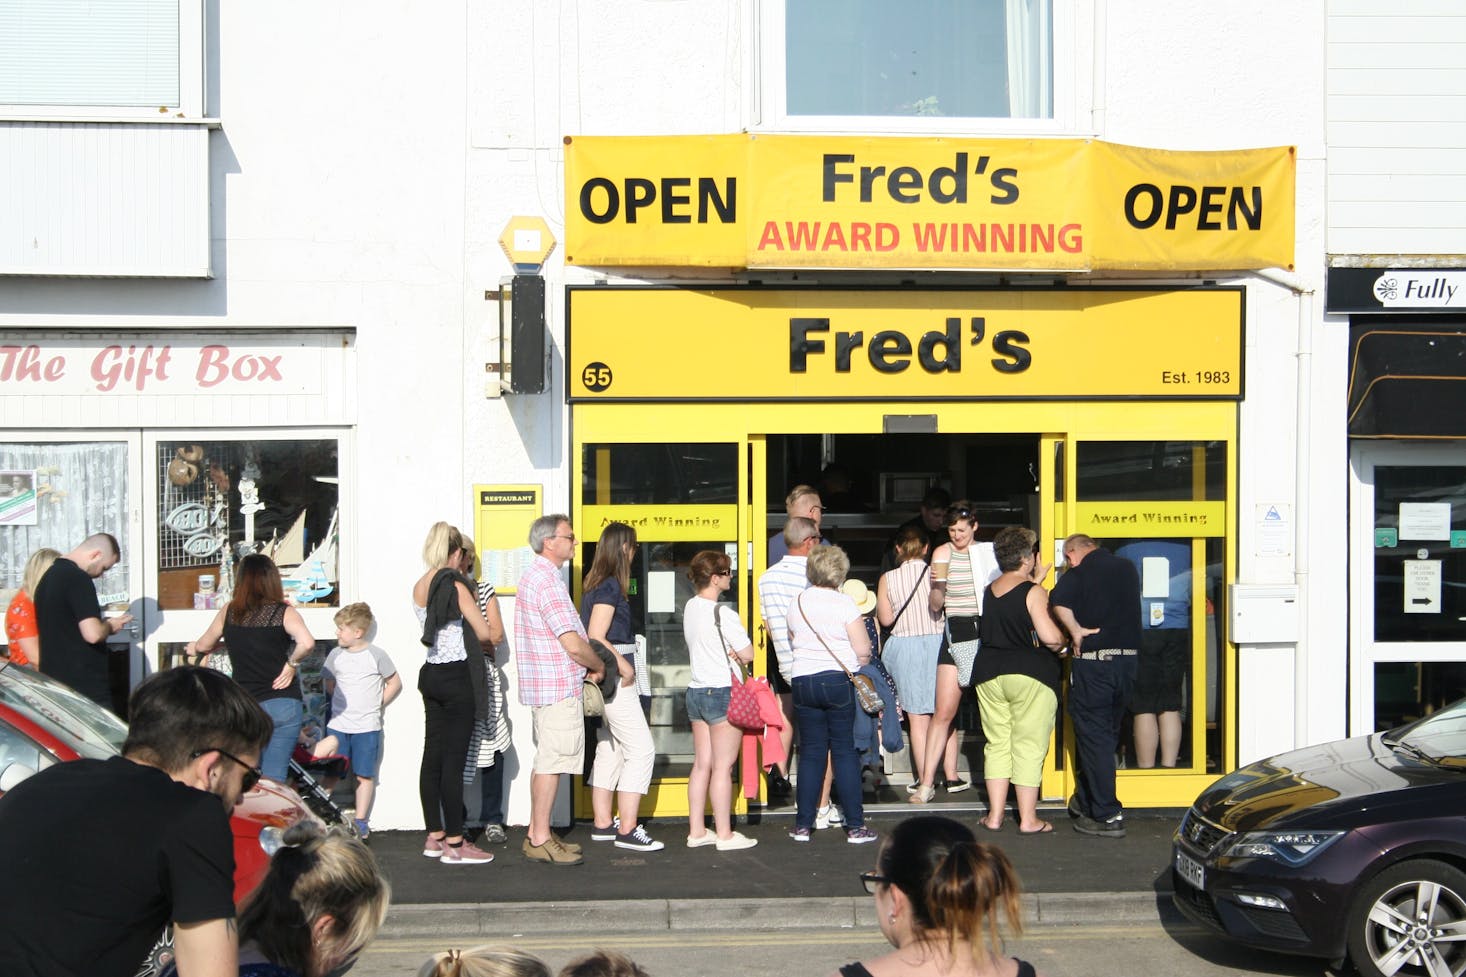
point(829, 640)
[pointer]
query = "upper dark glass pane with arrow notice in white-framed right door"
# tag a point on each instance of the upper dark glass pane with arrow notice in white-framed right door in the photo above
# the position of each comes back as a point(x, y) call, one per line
point(1420, 554)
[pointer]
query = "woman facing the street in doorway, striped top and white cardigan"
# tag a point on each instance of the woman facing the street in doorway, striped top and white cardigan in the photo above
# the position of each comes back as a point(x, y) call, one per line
point(961, 571)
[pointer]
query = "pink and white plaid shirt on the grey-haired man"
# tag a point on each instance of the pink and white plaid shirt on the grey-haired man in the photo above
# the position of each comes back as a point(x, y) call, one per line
point(543, 612)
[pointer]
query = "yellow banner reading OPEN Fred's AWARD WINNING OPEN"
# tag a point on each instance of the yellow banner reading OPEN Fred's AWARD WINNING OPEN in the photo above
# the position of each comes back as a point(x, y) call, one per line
point(788, 202)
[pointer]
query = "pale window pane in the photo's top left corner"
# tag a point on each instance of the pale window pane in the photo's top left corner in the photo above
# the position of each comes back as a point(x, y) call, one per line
point(77, 54)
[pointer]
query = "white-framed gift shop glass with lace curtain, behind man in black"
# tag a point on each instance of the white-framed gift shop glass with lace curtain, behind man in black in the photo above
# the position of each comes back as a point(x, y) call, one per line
point(59, 489)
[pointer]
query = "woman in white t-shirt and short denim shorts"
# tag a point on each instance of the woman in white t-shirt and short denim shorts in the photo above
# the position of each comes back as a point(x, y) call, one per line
point(718, 648)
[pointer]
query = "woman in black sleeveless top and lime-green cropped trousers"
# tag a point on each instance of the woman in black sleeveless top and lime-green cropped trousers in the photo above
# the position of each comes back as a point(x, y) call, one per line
point(1017, 677)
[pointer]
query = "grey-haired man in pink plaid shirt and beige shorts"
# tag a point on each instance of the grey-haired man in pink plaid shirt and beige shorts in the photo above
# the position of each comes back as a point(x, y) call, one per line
point(555, 659)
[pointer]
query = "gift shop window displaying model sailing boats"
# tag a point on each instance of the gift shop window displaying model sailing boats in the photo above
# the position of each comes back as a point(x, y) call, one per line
point(224, 500)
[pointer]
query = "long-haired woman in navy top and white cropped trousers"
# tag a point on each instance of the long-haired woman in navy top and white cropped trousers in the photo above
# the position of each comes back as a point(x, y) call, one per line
point(624, 747)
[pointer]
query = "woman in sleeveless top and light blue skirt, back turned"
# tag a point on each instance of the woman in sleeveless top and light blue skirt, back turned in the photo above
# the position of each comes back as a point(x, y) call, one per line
point(902, 604)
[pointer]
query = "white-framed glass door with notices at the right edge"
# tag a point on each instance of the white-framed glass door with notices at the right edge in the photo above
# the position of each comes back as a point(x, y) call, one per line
point(1408, 582)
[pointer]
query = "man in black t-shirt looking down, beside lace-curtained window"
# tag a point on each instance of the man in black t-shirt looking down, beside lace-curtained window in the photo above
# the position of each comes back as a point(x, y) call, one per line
point(73, 632)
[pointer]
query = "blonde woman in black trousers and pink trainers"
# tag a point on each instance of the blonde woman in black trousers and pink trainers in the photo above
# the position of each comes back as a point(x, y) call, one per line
point(455, 692)
